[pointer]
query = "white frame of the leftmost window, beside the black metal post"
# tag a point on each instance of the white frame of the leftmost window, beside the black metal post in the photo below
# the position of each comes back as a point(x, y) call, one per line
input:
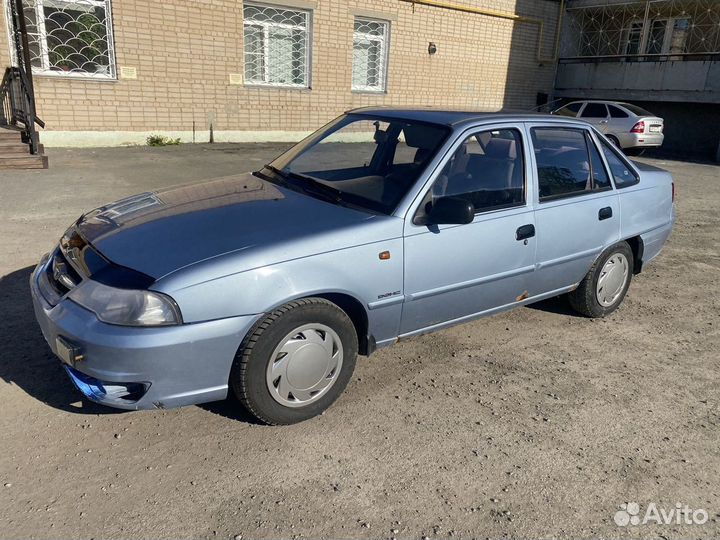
point(44, 69)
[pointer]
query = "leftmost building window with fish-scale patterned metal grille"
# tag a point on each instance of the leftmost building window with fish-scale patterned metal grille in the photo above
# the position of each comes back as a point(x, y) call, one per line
point(70, 37)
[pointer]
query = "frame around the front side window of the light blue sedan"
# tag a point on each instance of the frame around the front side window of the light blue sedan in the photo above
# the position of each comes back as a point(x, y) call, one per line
point(461, 138)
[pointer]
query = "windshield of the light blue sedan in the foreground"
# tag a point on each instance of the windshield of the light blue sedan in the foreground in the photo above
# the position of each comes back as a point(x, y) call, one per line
point(360, 160)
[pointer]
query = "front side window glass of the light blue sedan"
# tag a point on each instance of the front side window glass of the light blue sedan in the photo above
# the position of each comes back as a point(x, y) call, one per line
point(487, 169)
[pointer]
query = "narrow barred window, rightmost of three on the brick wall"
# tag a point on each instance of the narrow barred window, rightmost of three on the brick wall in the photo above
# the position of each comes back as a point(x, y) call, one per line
point(370, 53)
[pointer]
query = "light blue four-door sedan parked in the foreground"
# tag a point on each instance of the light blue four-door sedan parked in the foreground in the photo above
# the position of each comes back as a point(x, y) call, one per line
point(384, 224)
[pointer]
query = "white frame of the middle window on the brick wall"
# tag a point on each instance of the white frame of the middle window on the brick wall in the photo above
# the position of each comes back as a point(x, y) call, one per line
point(266, 26)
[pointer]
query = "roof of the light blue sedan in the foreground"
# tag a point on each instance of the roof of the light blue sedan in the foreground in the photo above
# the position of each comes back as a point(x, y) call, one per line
point(454, 118)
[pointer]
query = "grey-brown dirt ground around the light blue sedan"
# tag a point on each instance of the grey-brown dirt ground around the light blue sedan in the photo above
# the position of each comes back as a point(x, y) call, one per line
point(535, 423)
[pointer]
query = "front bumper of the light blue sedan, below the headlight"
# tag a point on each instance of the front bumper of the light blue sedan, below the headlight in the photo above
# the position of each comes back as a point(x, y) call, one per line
point(160, 367)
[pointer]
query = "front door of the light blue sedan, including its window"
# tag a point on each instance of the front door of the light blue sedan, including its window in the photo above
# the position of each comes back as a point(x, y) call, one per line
point(455, 272)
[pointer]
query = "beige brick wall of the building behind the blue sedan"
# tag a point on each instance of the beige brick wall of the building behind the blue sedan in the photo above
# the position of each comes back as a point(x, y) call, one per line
point(185, 51)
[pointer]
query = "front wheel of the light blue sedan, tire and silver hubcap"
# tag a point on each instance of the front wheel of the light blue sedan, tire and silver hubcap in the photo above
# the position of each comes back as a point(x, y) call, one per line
point(306, 347)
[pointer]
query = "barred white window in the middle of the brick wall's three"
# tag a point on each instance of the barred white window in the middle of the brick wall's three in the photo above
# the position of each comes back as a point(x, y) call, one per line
point(277, 46)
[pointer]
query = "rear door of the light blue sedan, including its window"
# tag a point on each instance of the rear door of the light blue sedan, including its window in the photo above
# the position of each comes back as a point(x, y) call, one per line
point(576, 206)
